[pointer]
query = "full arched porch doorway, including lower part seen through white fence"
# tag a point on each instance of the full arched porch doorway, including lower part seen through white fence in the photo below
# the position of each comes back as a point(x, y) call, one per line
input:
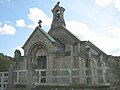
point(38, 58)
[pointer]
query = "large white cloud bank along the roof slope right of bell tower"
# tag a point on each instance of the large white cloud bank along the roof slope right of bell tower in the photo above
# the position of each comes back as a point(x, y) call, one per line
point(106, 43)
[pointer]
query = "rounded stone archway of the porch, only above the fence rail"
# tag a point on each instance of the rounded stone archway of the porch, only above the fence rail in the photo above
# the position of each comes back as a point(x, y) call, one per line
point(37, 56)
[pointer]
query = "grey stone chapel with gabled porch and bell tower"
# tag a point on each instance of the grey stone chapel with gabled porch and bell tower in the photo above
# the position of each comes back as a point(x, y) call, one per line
point(58, 60)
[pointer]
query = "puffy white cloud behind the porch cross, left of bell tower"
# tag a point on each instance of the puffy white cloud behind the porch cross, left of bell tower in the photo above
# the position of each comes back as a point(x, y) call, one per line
point(36, 14)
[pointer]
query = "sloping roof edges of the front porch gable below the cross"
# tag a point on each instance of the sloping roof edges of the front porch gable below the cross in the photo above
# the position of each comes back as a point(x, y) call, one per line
point(46, 34)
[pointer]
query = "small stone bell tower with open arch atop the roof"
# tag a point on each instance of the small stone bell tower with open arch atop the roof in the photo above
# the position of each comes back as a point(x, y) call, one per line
point(58, 16)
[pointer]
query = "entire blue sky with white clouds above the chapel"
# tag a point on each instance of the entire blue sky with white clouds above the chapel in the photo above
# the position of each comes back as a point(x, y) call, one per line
point(95, 20)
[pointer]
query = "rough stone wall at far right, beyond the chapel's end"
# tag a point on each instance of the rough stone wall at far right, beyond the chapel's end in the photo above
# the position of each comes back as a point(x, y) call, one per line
point(114, 72)
